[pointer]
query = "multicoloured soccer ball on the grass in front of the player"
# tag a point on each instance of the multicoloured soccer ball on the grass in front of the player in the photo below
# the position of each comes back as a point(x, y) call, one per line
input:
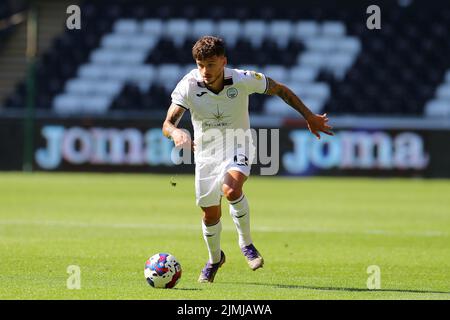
point(162, 270)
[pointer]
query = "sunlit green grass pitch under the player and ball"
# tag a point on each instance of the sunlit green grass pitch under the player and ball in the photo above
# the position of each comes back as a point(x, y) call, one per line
point(318, 237)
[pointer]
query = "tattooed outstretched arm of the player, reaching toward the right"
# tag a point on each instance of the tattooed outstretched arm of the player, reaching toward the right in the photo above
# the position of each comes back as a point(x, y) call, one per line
point(316, 123)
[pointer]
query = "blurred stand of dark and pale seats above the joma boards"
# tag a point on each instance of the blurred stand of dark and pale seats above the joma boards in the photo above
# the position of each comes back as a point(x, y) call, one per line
point(130, 57)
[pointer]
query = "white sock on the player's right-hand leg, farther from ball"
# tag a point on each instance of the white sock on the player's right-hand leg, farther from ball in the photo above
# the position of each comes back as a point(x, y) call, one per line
point(240, 213)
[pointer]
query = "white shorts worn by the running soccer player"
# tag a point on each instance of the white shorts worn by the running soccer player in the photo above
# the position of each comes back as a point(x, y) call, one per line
point(209, 178)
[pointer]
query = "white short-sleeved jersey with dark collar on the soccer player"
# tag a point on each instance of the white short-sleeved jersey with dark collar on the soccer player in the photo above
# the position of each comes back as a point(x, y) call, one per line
point(212, 113)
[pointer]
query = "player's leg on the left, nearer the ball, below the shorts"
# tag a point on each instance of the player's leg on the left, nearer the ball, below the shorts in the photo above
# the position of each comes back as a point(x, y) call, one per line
point(212, 227)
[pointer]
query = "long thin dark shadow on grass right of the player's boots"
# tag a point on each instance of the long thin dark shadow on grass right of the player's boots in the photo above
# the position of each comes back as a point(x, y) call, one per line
point(287, 286)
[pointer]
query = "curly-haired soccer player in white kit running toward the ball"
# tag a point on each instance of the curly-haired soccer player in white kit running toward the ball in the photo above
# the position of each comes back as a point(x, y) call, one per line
point(217, 98)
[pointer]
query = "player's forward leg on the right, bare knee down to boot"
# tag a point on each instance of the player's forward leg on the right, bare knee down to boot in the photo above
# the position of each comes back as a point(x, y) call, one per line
point(240, 212)
